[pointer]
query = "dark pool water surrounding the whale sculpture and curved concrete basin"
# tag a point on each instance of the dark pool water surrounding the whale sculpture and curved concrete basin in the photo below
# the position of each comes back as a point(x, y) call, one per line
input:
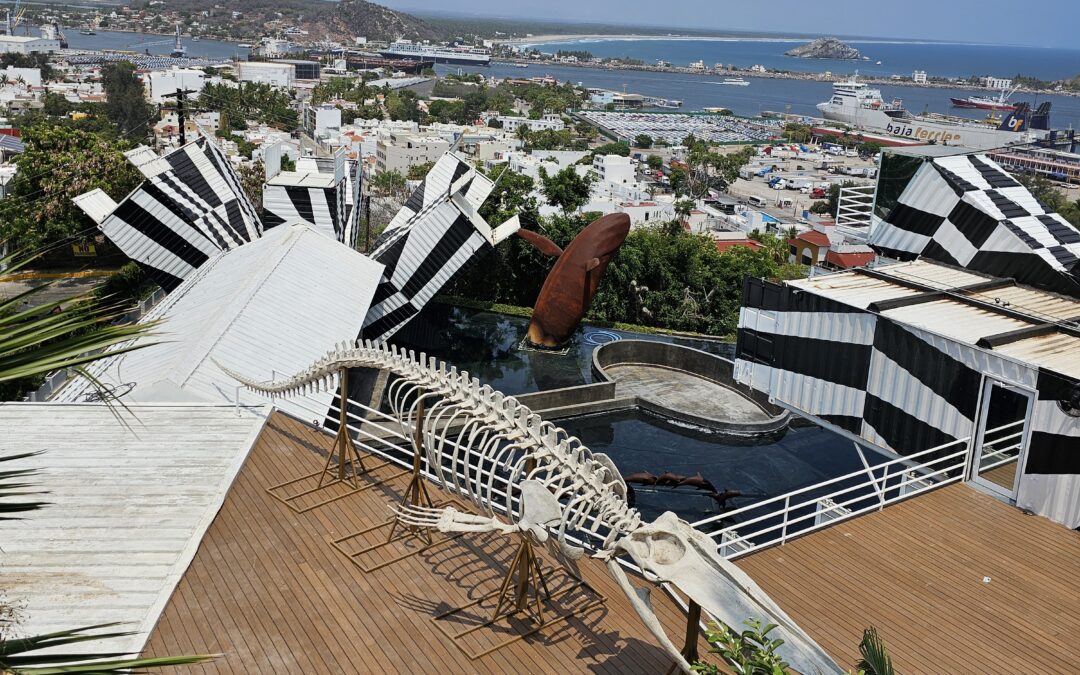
point(489, 346)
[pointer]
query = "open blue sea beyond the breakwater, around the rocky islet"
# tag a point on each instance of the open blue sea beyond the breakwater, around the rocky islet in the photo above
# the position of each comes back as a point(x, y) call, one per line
point(898, 58)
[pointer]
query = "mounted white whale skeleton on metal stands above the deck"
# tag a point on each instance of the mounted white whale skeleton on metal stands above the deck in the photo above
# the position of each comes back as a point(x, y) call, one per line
point(477, 440)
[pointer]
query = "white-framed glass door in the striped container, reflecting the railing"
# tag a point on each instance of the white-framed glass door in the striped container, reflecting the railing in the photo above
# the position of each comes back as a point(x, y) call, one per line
point(1003, 438)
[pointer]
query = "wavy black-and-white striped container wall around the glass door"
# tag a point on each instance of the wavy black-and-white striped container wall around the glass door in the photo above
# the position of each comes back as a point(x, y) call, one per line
point(901, 388)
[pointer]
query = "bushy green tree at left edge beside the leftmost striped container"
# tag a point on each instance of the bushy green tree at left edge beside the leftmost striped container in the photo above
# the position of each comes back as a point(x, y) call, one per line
point(59, 165)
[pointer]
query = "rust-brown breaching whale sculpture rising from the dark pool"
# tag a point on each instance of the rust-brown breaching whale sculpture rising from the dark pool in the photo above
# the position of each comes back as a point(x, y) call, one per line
point(572, 285)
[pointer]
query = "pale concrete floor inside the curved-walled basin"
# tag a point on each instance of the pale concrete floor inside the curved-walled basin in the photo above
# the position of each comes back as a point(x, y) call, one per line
point(685, 393)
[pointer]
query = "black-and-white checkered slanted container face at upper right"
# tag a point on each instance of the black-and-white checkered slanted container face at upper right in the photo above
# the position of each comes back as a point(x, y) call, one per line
point(967, 211)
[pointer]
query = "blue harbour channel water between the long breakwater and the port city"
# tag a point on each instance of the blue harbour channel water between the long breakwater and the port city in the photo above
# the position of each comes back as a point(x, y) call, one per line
point(796, 97)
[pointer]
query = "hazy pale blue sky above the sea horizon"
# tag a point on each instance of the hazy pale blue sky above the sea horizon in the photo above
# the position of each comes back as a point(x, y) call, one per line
point(1008, 22)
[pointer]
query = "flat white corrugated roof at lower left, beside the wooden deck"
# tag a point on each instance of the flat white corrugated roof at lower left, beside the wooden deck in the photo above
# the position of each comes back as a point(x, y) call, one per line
point(129, 505)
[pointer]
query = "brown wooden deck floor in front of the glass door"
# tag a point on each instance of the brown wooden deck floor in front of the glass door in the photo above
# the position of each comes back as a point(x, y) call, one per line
point(915, 571)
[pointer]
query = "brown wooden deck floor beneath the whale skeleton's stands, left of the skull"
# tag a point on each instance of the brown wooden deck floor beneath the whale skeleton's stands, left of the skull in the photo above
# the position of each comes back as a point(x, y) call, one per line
point(271, 592)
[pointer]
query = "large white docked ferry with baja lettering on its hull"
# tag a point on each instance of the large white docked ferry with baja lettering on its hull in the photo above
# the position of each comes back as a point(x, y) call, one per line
point(861, 106)
